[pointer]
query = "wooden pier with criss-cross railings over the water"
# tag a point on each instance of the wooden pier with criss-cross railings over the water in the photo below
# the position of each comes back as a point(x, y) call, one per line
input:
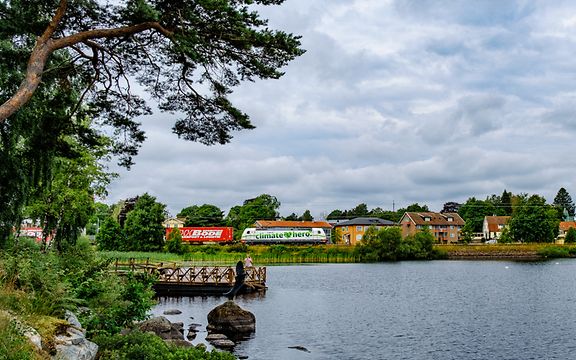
point(179, 279)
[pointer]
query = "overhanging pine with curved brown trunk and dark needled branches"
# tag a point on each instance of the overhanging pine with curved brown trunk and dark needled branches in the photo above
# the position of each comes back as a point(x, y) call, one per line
point(188, 55)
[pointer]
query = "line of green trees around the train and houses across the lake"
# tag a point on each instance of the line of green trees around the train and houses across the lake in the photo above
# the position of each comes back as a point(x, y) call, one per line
point(136, 223)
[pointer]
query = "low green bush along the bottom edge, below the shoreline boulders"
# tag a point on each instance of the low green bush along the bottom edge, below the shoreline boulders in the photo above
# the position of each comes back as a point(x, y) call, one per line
point(146, 346)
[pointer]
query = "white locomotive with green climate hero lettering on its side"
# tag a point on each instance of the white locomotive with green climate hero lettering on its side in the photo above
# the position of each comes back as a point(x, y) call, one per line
point(284, 236)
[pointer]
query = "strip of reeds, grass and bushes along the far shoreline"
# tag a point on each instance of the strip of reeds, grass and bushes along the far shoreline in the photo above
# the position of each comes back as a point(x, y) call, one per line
point(415, 248)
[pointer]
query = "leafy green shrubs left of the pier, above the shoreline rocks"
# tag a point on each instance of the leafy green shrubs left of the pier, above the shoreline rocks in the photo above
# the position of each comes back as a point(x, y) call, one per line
point(47, 284)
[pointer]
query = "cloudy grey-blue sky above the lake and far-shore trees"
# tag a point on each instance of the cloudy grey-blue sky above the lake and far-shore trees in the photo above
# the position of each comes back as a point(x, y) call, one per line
point(394, 102)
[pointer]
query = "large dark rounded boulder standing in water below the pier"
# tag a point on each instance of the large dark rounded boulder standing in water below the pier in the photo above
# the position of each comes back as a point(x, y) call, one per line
point(232, 320)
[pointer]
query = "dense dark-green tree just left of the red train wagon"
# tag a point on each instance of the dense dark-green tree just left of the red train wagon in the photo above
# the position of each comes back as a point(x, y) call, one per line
point(143, 227)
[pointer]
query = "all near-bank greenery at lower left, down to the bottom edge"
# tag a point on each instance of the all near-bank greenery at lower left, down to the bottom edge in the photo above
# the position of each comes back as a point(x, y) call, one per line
point(36, 288)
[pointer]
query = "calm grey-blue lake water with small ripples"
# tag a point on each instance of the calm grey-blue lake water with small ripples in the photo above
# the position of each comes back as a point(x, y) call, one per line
point(407, 310)
